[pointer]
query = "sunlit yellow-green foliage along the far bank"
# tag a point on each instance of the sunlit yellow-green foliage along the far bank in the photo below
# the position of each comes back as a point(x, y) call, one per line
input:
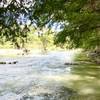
point(46, 41)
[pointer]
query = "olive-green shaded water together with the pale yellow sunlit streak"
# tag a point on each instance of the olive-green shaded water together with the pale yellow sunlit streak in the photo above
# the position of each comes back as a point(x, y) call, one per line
point(83, 81)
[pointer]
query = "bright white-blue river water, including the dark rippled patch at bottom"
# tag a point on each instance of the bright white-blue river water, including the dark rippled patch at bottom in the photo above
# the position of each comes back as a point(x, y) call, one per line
point(35, 77)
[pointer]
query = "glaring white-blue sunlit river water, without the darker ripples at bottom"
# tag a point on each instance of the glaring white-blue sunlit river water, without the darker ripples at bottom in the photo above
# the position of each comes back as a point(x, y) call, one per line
point(31, 73)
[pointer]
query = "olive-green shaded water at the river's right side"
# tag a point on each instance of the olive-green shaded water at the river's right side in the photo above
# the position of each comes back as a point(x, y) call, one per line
point(87, 83)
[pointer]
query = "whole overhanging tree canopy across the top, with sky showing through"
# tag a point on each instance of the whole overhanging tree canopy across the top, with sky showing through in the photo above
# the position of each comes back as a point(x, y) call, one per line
point(80, 18)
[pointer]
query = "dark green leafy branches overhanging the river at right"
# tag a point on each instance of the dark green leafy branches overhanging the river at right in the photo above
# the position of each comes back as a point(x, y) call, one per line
point(84, 24)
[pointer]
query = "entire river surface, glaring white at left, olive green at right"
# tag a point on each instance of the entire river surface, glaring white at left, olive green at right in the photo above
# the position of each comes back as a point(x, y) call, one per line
point(45, 77)
